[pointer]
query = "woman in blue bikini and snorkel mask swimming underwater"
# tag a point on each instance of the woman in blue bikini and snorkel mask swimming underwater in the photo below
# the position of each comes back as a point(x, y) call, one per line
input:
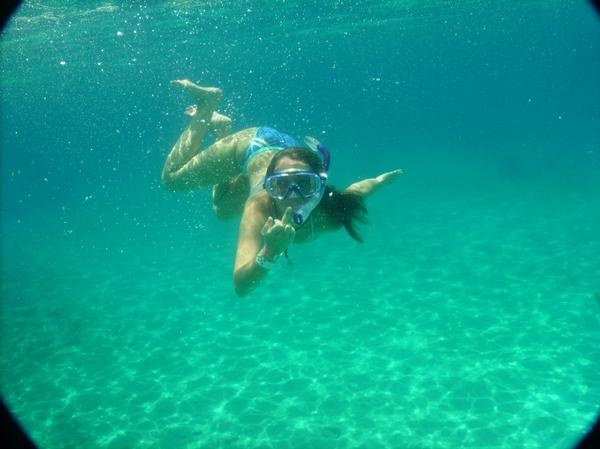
point(277, 184)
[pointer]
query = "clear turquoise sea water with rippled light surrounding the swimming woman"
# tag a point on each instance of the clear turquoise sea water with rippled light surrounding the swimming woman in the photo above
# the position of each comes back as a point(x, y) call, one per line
point(468, 318)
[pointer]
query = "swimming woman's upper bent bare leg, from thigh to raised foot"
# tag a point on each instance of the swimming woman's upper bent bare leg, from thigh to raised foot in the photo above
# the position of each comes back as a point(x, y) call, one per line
point(187, 167)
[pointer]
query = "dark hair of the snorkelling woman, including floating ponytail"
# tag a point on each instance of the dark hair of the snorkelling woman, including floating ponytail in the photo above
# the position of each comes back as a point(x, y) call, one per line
point(343, 207)
